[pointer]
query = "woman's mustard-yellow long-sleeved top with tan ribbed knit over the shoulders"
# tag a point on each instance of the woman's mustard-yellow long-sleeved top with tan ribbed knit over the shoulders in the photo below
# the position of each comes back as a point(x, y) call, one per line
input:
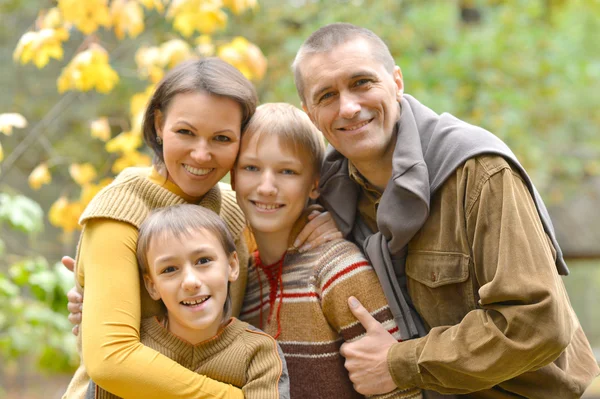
point(107, 269)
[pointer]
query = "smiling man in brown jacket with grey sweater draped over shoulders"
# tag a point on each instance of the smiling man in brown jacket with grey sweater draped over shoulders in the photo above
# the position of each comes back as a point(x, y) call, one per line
point(454, 228)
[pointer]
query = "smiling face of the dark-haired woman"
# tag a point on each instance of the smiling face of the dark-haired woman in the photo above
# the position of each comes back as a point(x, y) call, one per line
point(201, 139)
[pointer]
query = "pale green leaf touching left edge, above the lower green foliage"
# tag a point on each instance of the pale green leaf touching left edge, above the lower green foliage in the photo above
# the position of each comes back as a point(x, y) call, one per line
point(21, 213)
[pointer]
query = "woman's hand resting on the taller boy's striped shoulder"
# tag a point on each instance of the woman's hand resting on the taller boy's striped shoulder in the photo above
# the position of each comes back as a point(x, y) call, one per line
point(320, 228)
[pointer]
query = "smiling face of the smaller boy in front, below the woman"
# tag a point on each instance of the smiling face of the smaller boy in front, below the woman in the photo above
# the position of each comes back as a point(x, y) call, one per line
point(190, 274)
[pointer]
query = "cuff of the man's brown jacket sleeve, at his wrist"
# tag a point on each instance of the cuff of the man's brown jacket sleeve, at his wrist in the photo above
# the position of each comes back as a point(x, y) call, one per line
point(402, 364)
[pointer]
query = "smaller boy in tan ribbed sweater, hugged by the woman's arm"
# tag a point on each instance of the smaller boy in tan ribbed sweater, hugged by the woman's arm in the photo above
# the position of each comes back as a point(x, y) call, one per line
point(188, 259)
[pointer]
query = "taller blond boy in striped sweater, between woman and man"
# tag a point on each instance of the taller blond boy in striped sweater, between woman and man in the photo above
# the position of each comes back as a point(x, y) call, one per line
point(300, 298)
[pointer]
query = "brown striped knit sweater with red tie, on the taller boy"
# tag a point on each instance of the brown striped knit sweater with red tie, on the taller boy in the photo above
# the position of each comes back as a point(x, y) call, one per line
point(302, 301)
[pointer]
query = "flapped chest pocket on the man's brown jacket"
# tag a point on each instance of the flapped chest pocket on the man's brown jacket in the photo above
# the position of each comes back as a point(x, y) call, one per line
point(440, 286)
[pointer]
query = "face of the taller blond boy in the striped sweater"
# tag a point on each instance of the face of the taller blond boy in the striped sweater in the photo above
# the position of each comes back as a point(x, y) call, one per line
point(273, 184)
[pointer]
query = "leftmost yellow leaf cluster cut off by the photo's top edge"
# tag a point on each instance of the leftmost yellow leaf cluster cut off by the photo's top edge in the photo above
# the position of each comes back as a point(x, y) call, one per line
point(86, 15)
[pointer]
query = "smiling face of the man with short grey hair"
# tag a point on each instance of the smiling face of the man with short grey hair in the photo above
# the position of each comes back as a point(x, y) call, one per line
point(353, 100)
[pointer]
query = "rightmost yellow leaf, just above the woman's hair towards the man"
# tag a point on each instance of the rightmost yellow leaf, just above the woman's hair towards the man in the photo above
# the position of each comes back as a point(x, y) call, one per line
point(245, 56)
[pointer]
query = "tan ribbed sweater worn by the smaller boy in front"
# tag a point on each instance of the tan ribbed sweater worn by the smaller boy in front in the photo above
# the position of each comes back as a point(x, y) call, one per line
point(240, 355)
